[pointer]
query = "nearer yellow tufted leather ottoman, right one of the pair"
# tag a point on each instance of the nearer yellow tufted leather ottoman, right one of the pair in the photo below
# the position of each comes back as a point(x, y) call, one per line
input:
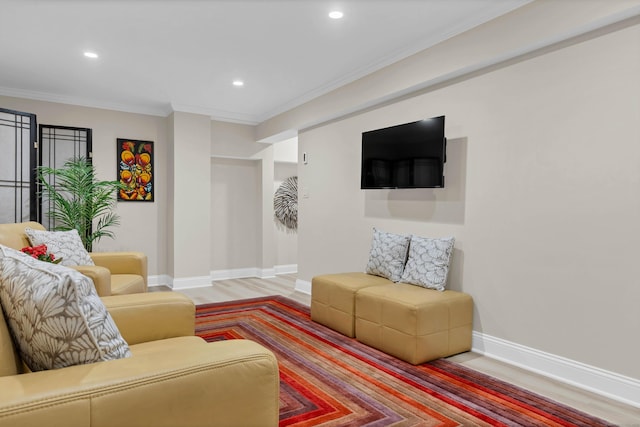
point(413, 323)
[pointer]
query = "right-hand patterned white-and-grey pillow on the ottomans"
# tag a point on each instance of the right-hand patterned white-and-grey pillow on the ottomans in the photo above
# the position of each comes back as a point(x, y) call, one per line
point(428, 263)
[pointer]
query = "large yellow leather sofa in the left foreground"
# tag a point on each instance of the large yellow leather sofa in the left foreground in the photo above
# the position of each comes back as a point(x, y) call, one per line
point(172, 379)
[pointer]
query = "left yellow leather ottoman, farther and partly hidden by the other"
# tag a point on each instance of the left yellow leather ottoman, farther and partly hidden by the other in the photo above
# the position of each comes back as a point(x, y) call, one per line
point(333, 298)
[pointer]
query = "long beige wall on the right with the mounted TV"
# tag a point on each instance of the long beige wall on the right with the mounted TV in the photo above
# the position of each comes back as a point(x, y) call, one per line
point(541, 195)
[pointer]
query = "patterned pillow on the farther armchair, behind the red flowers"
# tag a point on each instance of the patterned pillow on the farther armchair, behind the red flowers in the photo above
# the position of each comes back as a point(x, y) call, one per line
point(63, 244)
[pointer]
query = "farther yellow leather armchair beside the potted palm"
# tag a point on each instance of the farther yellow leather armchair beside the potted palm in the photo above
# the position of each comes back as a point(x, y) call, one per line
point(115, 273)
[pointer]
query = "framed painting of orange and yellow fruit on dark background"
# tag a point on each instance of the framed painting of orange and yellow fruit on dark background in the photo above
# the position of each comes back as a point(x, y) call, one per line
point(135, 170)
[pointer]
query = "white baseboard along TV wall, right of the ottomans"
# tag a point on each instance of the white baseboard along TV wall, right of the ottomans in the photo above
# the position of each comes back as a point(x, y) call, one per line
point(614, 386)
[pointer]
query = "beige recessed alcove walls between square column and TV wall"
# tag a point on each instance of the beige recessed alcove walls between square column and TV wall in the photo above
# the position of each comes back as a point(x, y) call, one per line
point(244, 235)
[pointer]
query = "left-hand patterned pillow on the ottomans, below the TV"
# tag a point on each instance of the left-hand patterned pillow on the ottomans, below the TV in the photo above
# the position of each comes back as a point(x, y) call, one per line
point(388, 255)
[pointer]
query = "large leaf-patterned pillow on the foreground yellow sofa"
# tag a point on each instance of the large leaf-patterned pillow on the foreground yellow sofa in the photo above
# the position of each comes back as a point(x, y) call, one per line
point(55, 314)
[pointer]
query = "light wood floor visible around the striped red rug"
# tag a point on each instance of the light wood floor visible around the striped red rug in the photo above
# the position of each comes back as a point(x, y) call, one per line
point(607, 409)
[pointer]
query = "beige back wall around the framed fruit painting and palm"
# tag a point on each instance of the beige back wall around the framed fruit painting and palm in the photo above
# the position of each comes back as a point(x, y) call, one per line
point(143, 225)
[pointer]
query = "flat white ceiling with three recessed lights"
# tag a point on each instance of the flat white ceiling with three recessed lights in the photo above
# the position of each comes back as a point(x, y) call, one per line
point(157, 56)
